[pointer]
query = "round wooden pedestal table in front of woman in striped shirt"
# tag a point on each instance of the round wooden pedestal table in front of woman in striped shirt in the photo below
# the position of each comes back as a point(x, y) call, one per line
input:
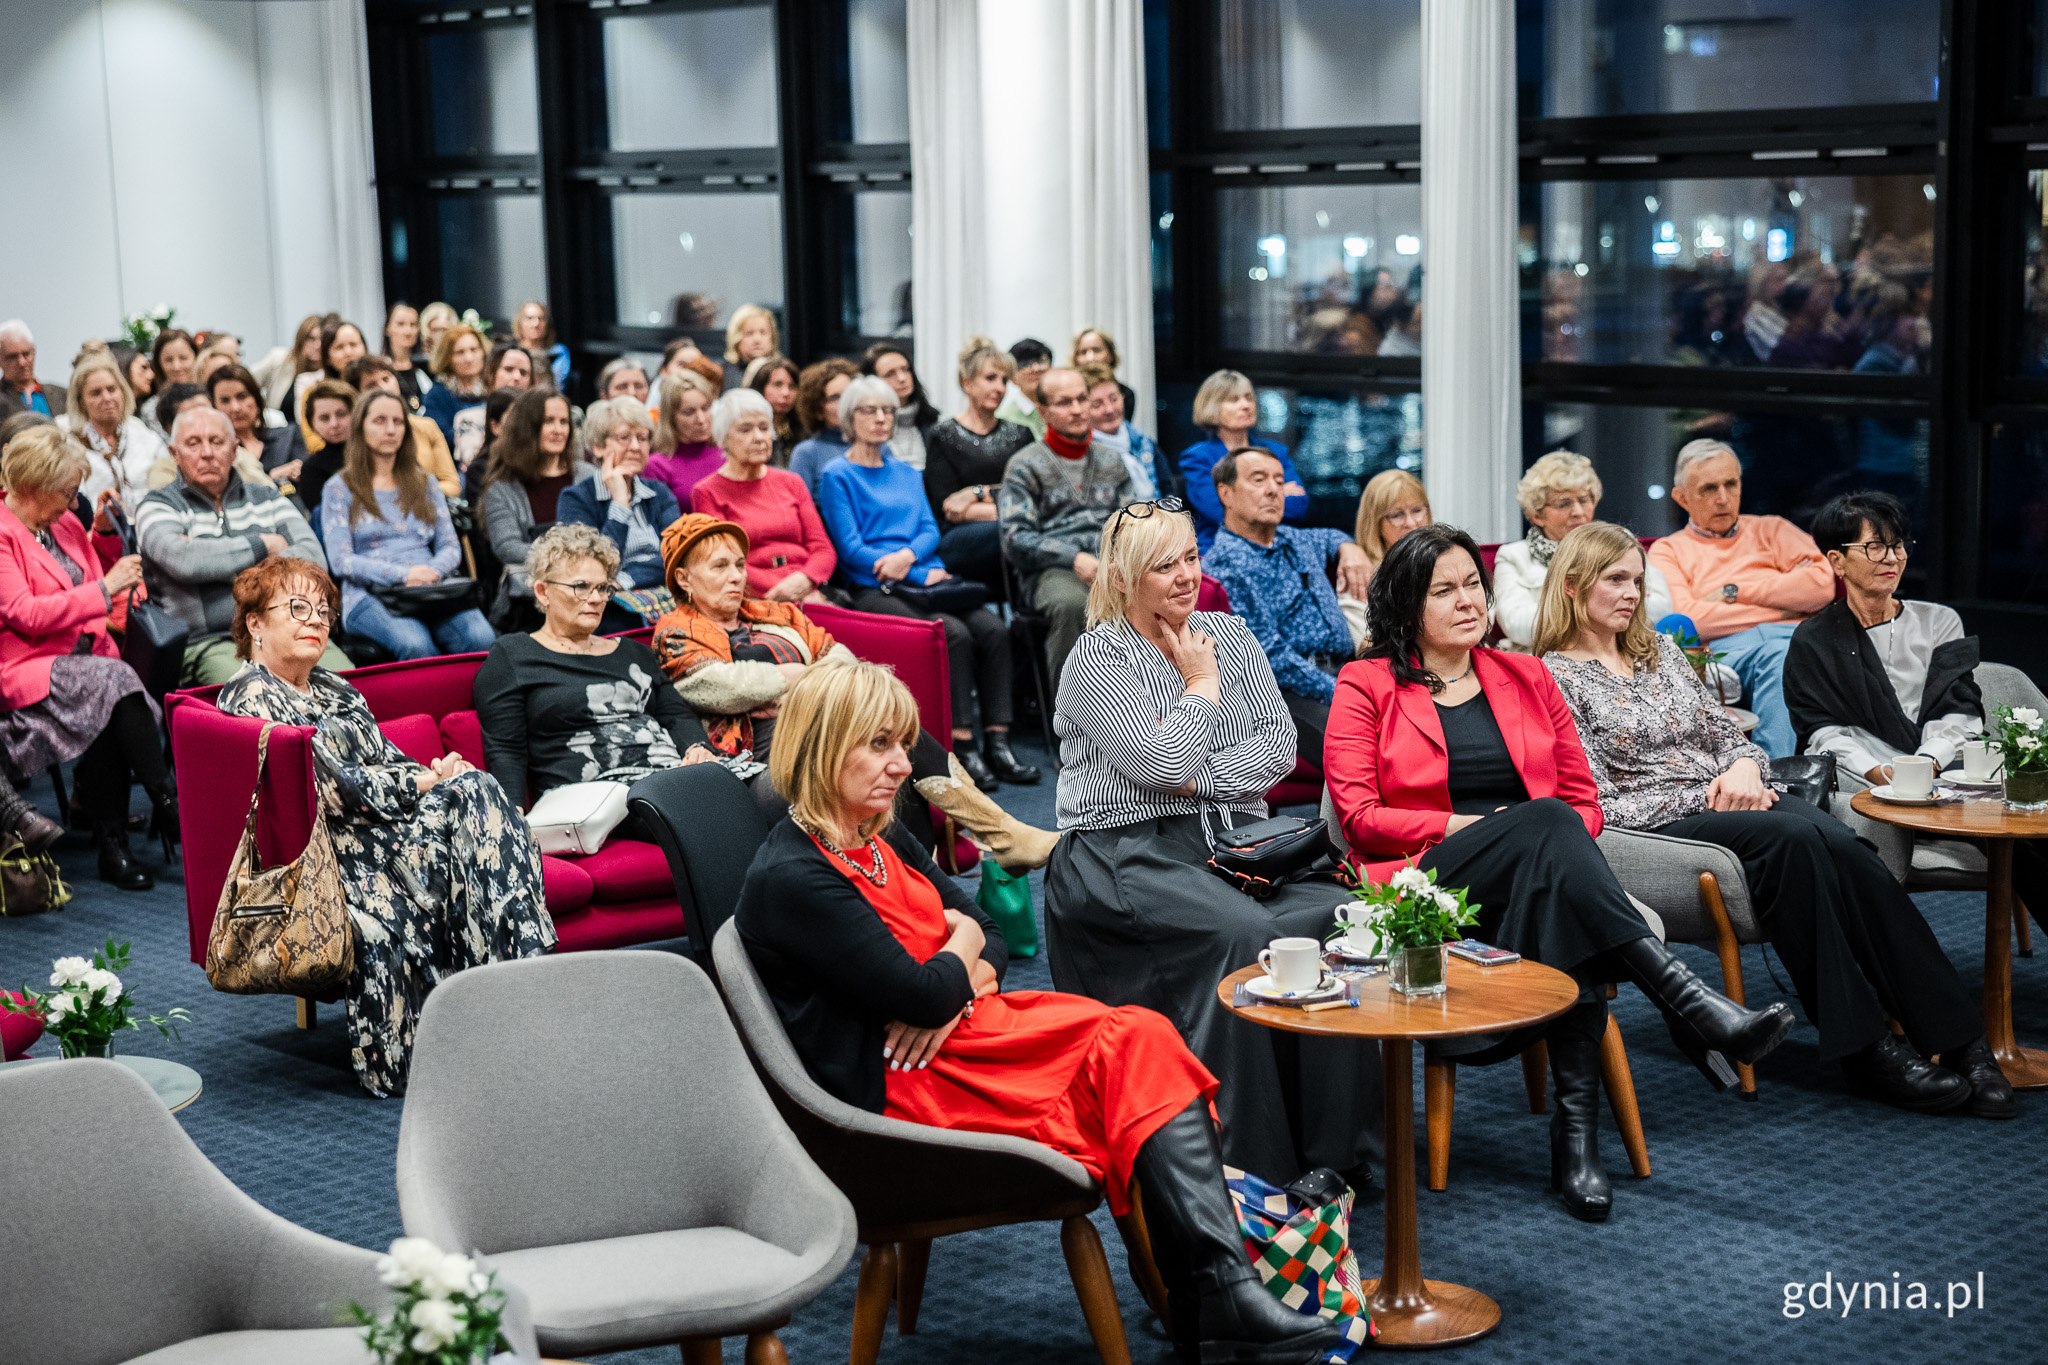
point(1482, 1000)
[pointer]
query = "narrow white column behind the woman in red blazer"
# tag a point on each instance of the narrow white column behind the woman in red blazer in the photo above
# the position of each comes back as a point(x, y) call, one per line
point(1471, 351)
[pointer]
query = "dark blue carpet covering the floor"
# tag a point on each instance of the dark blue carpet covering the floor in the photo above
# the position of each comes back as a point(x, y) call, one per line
point(1746, 1198)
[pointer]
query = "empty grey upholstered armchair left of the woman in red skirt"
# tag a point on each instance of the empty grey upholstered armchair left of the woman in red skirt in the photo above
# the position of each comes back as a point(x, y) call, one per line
point(595, 1129)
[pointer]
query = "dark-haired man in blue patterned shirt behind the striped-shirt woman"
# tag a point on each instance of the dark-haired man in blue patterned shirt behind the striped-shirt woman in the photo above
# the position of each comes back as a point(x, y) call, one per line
point(1281, 582)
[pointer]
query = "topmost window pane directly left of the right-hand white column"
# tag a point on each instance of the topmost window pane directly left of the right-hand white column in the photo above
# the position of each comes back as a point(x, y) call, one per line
point(1304, 64)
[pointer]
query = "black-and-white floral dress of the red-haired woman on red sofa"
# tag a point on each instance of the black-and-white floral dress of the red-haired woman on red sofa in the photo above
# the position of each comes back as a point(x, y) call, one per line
point(435, 881)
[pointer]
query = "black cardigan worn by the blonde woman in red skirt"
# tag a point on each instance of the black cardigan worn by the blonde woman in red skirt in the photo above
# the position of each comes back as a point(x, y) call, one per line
point(835, 971)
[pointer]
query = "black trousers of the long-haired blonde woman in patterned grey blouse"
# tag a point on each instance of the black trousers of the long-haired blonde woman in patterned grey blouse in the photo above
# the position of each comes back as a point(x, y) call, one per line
point(1846, 930)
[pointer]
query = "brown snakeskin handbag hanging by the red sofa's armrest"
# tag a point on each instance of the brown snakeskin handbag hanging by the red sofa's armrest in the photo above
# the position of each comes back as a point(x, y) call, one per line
point(282, 930)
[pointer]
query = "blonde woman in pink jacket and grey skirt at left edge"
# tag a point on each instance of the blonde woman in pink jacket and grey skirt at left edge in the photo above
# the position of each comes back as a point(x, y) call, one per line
point(62, 680)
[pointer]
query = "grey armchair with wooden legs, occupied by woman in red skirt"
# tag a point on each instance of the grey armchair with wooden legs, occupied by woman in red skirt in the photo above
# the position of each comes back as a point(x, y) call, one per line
point(914, 1184)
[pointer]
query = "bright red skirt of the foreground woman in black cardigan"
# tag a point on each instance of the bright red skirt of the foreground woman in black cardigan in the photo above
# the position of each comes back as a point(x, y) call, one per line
point(1072, 1073)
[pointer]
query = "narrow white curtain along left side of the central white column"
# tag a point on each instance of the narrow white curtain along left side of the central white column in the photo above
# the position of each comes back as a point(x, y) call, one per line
point(949, 255)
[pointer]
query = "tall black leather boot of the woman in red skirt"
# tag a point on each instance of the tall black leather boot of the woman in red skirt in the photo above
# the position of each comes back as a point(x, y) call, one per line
point(1220, 1309)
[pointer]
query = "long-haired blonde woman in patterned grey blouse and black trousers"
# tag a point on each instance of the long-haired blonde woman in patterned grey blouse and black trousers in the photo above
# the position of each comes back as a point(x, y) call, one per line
point(1668, 760)
